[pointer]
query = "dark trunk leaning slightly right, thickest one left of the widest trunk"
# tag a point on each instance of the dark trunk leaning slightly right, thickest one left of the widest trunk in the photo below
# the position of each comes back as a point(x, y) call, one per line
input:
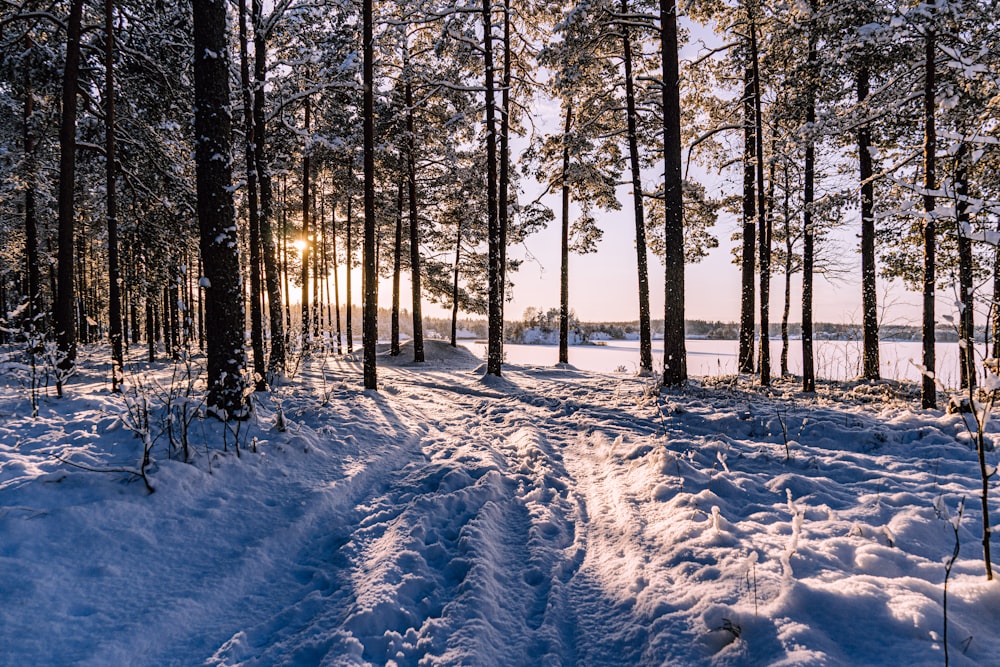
point(64, 315)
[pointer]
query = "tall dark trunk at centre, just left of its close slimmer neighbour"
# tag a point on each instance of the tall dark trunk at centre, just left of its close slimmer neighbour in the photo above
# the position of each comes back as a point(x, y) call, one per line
point(497, 287)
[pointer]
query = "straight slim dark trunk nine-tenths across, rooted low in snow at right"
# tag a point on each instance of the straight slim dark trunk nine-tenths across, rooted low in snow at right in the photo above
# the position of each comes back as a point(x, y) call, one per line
point(928, 391)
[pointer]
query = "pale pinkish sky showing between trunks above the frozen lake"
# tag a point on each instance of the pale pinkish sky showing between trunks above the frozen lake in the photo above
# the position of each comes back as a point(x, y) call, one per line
point(604, 285)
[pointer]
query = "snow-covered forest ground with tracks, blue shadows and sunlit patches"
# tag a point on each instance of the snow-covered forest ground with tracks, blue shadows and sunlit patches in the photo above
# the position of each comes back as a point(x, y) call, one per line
point(551, 517)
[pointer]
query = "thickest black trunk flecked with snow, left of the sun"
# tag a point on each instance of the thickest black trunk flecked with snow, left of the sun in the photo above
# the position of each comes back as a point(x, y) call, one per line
point(224, 312)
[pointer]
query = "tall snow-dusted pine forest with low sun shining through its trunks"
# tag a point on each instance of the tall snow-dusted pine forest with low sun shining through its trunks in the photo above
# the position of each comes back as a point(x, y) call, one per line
point(175, 176)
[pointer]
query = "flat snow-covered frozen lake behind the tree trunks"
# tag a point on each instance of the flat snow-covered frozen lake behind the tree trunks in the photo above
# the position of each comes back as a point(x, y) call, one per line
point(835, 360)
